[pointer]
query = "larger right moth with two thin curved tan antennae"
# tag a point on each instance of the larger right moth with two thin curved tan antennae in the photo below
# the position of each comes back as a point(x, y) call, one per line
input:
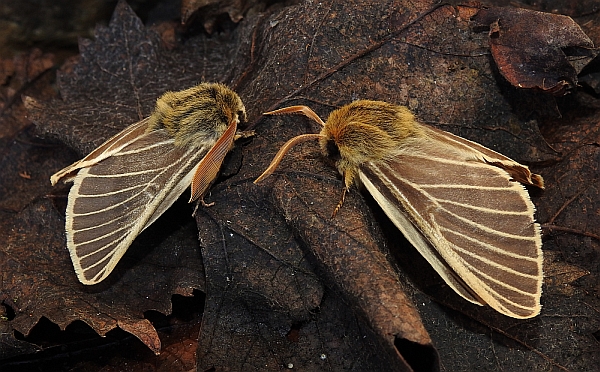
point(462, 205)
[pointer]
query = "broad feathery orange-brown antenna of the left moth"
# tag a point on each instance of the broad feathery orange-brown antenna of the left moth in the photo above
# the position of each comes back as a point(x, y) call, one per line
point(210, 164)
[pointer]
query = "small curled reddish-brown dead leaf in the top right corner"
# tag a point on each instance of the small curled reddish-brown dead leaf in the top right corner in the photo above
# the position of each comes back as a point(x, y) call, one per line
point(530, 48)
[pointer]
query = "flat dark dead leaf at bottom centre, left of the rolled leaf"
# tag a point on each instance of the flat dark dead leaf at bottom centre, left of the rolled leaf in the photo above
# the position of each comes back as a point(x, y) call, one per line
point(262, 285)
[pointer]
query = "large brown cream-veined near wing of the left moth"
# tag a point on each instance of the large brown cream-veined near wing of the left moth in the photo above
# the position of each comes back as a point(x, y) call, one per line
point(116, 198)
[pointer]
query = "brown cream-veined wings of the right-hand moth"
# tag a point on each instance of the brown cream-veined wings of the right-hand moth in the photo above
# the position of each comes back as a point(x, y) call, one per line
point(469, 218)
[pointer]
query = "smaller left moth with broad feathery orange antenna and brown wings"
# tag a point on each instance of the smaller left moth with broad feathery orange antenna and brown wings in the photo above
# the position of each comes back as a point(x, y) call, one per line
point(130, 180)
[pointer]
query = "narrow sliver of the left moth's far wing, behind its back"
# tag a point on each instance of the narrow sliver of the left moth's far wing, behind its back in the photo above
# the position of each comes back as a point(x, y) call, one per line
point(111, 146)
